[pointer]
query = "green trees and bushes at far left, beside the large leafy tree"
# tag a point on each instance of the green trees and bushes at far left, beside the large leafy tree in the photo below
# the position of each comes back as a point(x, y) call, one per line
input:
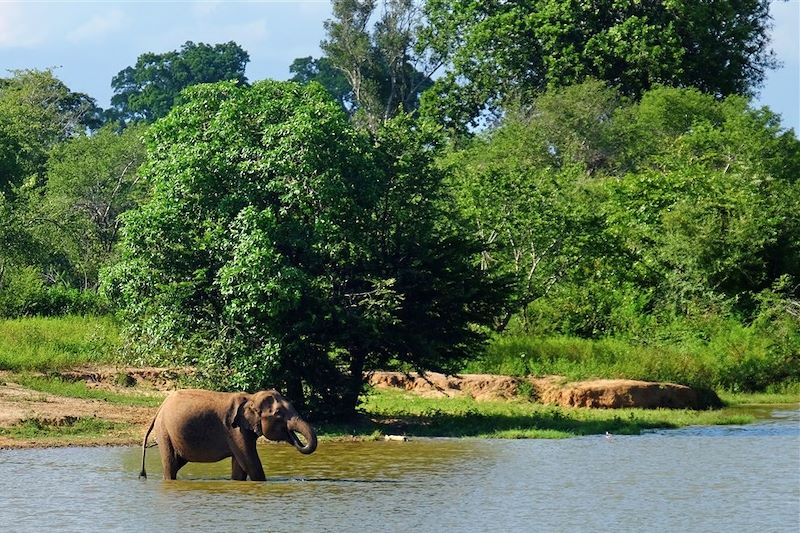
point(60, 195)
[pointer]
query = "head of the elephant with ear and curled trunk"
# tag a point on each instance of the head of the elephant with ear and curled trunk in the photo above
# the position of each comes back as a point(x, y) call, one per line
point(267, 413)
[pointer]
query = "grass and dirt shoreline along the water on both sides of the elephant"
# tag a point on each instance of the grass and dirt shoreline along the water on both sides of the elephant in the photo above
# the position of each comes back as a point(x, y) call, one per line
point(54, 412)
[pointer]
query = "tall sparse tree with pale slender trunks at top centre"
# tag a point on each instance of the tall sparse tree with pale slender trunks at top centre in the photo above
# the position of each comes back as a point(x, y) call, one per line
point(383, 70)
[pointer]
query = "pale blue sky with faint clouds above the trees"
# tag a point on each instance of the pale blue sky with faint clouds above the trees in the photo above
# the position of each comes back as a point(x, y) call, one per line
point(87, 43)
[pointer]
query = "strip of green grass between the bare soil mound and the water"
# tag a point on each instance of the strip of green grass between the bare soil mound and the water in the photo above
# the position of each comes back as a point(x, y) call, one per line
point(398, 412)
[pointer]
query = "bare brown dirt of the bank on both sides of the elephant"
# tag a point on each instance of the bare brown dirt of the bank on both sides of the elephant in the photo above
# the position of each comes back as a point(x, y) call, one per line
point(50, 412)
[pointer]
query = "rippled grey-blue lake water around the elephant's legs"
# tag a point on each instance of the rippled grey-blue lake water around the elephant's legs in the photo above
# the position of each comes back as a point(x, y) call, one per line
point(716, 479)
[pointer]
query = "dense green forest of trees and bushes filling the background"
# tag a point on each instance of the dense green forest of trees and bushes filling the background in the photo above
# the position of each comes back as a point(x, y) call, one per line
point(519, 187)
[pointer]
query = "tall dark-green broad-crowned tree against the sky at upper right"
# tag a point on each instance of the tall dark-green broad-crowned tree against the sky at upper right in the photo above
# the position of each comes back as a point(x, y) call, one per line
point(505, 50)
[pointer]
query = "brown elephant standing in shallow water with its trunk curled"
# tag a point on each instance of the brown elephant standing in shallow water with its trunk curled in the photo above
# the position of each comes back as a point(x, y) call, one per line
point(203, 426)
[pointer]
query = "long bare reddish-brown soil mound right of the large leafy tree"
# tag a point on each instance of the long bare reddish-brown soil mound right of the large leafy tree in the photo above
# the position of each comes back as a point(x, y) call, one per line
point(603, 393)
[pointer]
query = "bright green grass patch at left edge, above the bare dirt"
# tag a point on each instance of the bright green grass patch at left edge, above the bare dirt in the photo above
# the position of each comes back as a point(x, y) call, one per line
point(47, 344)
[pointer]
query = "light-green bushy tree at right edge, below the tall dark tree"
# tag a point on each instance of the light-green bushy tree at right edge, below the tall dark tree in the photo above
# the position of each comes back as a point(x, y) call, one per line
point(711, 212)
